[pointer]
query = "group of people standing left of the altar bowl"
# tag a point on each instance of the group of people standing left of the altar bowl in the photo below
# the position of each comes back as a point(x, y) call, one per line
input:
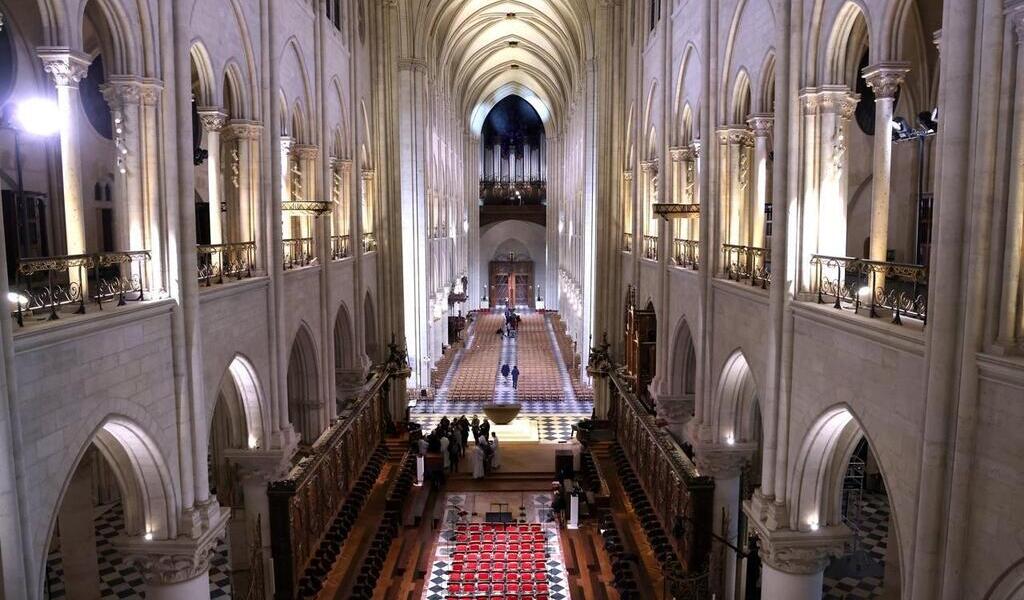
point(451, 440)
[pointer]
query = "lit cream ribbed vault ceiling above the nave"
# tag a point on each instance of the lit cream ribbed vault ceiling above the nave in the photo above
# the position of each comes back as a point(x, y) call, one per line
point(485, 51)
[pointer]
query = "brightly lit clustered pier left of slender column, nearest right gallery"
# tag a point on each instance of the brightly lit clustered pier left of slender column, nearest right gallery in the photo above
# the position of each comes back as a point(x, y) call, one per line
point(837, 105)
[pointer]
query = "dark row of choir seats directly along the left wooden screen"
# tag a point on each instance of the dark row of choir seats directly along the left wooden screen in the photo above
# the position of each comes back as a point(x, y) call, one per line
point(330, 548)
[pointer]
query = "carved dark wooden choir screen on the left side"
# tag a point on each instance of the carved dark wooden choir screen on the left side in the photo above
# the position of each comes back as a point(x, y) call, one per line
point(304, 506)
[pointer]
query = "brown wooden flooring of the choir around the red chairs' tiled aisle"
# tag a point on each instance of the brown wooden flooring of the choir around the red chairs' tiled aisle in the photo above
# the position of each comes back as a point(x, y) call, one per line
point(412, 552)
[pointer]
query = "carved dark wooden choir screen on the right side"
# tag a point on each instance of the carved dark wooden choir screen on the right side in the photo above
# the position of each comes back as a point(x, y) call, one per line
point(669, 478)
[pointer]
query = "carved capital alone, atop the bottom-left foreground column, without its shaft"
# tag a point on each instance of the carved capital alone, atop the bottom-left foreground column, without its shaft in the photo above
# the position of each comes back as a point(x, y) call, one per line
point(164, 563)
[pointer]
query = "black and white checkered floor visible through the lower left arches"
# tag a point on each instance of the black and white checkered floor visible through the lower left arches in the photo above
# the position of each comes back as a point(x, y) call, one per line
point(119, 581)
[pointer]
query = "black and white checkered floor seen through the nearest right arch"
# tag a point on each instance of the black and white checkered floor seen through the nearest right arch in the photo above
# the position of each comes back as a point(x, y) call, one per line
point(842, 582)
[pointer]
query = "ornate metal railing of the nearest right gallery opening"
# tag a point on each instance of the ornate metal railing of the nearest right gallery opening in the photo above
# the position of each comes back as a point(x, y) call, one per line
point(899, 288)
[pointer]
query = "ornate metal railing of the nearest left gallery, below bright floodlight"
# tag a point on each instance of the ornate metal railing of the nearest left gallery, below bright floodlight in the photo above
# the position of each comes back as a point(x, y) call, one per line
point(47, 284)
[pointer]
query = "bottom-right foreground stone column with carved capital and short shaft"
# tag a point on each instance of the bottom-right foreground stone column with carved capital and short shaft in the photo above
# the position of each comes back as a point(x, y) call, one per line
point(793, 564)
